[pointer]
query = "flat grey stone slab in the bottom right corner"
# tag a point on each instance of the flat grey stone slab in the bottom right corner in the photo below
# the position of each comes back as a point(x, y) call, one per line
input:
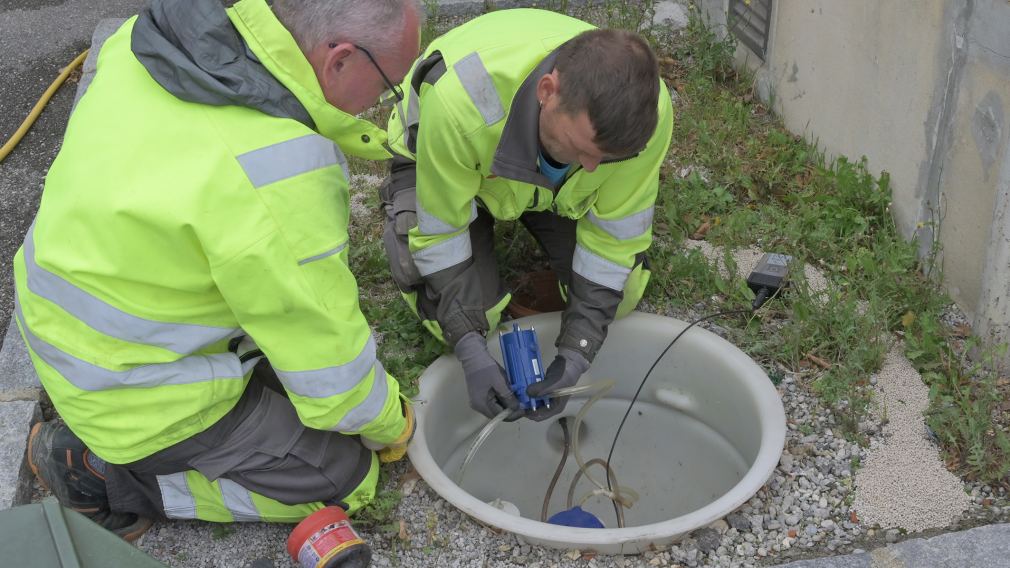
point(984, 546)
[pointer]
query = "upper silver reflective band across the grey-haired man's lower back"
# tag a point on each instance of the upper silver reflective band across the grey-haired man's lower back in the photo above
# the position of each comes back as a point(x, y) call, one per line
point(107, 319)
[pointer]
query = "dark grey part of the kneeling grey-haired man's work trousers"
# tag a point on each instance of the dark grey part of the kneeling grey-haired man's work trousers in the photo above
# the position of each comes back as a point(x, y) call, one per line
point(261, 445)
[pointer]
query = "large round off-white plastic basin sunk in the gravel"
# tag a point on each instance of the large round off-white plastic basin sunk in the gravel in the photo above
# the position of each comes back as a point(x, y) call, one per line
point(703, 437)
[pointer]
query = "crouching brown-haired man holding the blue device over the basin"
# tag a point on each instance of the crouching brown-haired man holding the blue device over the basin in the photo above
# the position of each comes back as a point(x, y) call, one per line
point(537, 117)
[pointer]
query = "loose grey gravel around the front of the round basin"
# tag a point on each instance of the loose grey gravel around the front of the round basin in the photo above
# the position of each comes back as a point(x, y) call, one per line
point(804, 511)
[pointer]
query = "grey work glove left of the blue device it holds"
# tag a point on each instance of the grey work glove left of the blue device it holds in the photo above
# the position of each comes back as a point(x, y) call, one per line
point(486, 383)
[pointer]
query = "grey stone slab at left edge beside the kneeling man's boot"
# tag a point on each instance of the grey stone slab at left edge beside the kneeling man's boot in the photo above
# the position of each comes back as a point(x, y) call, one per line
point(17, 420)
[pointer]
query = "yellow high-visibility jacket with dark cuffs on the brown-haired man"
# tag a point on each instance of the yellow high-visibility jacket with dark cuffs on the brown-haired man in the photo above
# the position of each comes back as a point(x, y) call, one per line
point(470, 124)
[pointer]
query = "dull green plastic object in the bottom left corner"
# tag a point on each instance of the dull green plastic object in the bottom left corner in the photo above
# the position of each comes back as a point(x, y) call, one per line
point(49, 536)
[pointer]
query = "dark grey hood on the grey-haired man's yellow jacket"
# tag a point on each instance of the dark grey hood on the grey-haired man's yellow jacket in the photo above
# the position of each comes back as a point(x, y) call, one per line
point(191, 49)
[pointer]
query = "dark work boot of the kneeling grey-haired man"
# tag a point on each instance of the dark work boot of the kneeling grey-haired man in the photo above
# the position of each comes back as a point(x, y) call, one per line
point(60, 461)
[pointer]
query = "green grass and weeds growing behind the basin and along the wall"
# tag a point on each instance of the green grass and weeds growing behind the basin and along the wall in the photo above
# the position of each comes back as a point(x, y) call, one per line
point(735, 171)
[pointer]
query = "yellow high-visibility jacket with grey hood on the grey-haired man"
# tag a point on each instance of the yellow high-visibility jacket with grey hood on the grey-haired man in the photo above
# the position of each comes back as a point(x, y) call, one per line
point(199, 198)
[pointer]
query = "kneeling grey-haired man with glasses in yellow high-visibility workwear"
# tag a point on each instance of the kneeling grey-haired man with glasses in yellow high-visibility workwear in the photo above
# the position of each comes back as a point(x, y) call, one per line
point(185, 293)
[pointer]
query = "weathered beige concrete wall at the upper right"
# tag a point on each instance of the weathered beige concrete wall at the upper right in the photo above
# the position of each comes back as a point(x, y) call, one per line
point(923, 89)
